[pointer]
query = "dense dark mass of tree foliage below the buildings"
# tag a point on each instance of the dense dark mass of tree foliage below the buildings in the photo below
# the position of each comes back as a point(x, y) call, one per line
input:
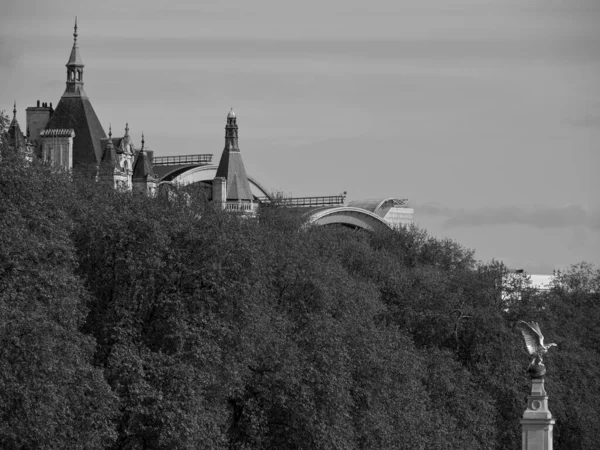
point(136, 323)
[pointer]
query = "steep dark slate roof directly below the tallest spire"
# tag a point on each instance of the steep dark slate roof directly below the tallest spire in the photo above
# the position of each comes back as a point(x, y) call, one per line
point(76, 112)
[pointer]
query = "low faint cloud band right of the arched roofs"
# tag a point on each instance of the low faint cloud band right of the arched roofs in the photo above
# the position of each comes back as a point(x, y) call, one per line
point(534, 216)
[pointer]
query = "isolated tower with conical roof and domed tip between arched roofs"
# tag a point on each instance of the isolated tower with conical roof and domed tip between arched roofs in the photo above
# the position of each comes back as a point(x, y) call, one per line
point(231, 181)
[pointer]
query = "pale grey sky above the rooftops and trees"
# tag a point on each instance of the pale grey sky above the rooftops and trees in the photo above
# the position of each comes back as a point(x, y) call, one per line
point(485, 114)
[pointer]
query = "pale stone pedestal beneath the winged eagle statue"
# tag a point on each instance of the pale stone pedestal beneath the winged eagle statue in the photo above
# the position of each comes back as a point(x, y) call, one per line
point(537, 422)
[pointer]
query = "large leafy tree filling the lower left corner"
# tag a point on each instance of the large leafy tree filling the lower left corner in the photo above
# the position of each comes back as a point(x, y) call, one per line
point(50, 394)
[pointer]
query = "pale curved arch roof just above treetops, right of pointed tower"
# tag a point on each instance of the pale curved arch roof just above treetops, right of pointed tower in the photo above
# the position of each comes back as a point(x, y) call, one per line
point(349, 216)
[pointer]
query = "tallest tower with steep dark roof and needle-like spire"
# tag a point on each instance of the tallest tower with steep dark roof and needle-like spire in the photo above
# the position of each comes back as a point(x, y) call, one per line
point(75, 112)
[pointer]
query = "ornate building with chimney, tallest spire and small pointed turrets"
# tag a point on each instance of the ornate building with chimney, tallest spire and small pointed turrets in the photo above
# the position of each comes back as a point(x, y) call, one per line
point(71, 137)
